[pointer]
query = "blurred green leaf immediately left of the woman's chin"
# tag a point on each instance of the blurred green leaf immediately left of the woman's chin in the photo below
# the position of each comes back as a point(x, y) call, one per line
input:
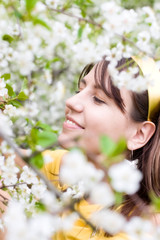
point(46, 138)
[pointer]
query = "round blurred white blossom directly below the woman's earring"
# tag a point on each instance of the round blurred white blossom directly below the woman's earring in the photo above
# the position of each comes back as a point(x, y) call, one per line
point(125, 177)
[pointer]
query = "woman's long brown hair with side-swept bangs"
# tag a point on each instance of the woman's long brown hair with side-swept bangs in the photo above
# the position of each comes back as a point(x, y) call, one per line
point(149, 155)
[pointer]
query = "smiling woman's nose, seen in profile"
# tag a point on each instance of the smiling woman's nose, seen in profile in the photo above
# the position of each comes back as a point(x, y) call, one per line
point(74, 103)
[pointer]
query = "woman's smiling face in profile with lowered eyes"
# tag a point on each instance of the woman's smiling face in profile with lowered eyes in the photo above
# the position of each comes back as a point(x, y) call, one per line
point(91, 114)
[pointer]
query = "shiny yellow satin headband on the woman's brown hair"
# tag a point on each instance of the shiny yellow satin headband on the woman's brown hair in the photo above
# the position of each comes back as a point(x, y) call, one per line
point(149, 67)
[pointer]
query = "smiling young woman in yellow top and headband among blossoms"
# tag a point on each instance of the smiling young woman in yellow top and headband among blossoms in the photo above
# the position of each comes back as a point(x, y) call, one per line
point(100, 108)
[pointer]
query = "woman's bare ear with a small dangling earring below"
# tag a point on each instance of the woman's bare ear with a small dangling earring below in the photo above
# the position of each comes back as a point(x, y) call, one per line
point(142, 134)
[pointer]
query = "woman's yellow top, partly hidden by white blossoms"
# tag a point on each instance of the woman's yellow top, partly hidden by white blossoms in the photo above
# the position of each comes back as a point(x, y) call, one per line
point(80, 230)
